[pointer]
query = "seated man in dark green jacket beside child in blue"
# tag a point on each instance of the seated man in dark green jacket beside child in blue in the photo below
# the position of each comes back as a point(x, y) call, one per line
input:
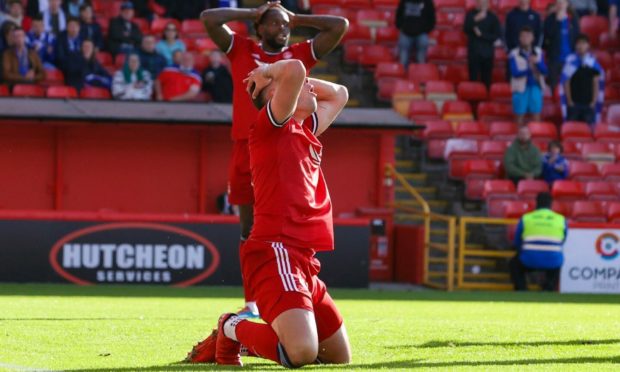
point(522, 160)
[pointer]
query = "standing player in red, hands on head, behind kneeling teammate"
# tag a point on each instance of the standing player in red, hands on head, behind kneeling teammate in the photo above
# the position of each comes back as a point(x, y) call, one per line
point(273, 25)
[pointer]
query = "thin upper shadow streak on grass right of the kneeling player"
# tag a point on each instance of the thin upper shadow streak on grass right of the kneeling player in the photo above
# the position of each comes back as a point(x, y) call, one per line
point(438, 344)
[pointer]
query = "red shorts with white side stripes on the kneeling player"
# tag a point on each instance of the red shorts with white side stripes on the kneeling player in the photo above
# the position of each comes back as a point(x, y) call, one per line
point(283, 278)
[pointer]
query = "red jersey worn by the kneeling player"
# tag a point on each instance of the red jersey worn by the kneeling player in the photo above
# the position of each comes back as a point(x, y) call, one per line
point(292, 203)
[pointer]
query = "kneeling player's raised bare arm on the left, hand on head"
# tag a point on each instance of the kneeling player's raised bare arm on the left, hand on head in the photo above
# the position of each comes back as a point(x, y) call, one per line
point(287, 78)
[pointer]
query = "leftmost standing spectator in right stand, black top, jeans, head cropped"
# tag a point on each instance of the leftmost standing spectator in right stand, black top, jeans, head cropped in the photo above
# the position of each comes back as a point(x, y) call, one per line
point(415, 19)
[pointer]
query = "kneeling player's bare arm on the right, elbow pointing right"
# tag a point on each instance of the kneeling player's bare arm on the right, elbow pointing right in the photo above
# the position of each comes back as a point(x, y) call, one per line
point(331, 100)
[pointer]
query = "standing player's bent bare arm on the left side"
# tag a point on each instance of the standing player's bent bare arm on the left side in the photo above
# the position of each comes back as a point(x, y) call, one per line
point(215, 22)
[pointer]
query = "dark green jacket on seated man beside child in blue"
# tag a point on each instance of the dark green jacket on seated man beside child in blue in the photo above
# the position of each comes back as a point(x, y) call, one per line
point(519, 160)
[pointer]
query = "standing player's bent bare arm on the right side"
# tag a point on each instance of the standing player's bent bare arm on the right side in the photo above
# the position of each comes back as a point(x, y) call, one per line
point(331, 30)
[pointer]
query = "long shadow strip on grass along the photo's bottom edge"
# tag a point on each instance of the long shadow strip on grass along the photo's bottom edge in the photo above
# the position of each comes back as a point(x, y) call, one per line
point(399, 364)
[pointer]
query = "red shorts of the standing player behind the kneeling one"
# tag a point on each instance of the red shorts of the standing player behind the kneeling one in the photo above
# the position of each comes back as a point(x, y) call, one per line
point(240, 191)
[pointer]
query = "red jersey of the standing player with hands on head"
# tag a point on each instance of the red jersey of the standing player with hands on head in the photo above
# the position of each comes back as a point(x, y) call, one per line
point(243, 54)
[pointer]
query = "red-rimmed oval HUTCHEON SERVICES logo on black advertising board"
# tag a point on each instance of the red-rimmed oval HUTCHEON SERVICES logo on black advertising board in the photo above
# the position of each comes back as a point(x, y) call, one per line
point(134, 253)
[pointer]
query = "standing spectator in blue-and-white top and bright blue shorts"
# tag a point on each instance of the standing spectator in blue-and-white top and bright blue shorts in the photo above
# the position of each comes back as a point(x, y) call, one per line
point(527, 77)
